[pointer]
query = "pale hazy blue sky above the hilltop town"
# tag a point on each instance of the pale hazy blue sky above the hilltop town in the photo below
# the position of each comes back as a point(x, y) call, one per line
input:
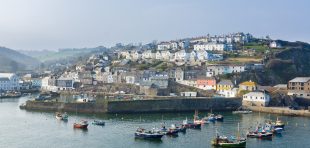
point(54, 24)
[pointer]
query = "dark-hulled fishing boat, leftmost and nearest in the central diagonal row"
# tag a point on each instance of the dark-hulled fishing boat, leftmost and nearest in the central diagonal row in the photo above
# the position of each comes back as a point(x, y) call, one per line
point(152, 134)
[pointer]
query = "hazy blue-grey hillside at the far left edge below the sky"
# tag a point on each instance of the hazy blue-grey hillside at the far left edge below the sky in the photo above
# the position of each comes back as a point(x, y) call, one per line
point(12, 61)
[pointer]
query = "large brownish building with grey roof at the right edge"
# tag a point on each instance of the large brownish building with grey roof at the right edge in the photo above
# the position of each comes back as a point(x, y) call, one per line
point(299, 86)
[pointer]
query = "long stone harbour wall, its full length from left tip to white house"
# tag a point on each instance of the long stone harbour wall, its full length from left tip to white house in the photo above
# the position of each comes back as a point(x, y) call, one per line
point(139, 106)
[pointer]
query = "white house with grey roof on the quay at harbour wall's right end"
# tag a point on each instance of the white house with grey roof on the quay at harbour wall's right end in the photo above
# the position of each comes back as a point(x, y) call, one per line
point(256, 99)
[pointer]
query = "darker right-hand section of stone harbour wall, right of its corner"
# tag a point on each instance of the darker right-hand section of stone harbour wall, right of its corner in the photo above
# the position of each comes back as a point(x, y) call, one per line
point(174, 105)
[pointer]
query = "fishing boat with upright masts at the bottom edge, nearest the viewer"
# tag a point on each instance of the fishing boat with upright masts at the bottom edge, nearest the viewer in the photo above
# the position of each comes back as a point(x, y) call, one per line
point(222, 141)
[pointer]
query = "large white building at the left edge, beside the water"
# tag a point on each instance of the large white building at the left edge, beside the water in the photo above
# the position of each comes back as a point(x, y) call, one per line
point(9, 81)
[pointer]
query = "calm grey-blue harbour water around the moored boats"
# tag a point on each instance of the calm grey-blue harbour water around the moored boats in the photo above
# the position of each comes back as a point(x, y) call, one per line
point(20, 128)
